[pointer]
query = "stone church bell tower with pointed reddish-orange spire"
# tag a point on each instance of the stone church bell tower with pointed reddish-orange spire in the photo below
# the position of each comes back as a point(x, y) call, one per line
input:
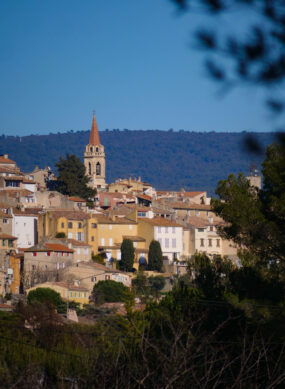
point(94, 158)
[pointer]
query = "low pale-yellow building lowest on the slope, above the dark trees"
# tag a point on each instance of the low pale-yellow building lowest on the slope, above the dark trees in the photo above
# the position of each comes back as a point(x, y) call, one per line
point(67, 291)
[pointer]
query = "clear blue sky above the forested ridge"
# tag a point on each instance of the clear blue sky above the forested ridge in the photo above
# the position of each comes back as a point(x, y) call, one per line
point(130, 60)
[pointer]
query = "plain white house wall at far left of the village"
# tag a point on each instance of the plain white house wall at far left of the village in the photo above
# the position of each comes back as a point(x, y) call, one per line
point(25, 229)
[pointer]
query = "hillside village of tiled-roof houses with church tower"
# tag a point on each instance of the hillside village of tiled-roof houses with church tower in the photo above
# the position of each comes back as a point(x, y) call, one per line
point(51, 240)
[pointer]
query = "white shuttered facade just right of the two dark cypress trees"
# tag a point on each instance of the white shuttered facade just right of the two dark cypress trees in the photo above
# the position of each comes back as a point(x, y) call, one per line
point(171, 240)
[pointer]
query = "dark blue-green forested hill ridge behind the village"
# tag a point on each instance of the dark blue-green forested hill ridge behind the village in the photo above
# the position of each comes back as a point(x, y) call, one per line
point(167, 159)
